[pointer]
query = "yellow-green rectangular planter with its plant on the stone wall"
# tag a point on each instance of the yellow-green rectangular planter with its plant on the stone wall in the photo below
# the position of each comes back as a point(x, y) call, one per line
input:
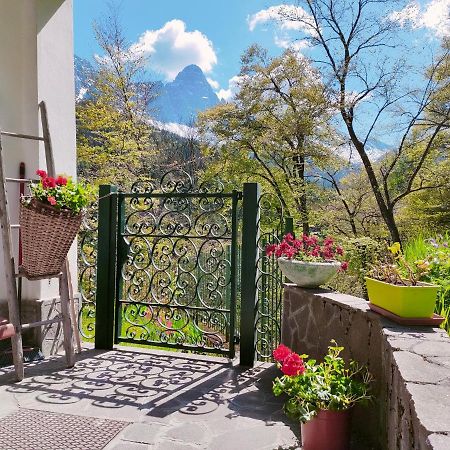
point(395, 285)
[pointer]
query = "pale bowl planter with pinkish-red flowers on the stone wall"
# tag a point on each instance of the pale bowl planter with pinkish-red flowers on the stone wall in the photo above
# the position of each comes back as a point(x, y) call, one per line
point(308, 261)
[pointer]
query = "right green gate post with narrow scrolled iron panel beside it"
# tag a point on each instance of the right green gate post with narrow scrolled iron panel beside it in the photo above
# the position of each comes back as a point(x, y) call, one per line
point(262, 293)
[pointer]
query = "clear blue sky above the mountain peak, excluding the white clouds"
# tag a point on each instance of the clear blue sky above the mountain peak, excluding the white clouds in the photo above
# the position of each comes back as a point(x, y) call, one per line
point(222, 22)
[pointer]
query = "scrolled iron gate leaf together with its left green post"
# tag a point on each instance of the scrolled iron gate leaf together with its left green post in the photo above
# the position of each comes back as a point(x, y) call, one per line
point(174, 276)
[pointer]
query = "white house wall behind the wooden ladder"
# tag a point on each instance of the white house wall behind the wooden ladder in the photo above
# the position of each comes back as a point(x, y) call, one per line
point(36, 63)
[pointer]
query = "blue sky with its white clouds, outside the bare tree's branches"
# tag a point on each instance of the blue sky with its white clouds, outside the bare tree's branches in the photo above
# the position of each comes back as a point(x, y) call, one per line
point(214, 33)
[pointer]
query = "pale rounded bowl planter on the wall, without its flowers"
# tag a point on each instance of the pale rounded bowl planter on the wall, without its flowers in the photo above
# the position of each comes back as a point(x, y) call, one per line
point(307, 273)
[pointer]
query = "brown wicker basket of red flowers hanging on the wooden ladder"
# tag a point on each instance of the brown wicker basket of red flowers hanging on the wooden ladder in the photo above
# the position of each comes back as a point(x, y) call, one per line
point(49, 221)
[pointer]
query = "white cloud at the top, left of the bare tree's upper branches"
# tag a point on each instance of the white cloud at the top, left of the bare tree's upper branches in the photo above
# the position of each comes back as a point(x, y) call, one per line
point(301, 20)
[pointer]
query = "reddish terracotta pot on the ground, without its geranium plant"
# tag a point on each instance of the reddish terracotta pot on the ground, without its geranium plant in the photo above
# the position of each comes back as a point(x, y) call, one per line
point(329, 430)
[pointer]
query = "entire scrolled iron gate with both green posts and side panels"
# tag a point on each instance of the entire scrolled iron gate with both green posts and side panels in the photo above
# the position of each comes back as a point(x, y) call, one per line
point(167, 271)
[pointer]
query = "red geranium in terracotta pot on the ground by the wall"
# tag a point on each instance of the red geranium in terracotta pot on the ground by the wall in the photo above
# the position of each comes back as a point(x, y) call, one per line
point(321, 395)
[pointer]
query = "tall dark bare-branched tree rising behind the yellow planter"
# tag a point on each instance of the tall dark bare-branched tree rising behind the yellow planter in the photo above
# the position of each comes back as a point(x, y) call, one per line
point(356, 39)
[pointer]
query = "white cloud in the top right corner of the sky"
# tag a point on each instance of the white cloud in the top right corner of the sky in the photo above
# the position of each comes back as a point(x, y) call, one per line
point(434, 16)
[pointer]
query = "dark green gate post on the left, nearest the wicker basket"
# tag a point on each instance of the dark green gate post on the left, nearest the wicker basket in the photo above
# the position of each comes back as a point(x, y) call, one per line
point(106, 267)
